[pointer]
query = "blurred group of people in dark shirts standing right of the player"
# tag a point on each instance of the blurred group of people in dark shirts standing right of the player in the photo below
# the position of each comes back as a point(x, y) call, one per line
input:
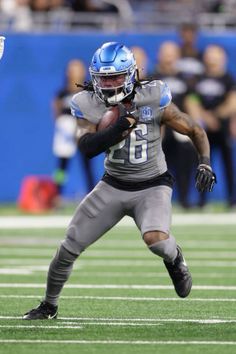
point(202, 87)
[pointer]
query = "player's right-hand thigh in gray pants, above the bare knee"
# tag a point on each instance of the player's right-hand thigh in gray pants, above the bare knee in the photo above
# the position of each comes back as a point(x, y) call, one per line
point(153, 210)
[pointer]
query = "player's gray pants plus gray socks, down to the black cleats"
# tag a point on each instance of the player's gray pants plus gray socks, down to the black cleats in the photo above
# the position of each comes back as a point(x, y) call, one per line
point(100, 211)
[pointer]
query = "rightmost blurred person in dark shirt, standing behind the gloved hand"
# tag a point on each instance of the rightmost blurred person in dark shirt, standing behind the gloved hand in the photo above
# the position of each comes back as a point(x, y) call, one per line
point(214, 100)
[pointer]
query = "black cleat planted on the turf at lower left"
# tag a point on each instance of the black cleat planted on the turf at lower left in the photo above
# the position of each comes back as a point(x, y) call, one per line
point(44, 311)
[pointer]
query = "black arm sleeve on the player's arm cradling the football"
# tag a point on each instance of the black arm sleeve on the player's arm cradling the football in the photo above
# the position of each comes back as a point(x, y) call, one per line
point(92, 144)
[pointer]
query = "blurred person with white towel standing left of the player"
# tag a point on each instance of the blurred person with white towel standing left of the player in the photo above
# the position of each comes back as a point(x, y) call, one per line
point(64, 145)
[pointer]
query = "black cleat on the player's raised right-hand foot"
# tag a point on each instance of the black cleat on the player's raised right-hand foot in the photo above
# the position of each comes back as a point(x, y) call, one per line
point(180, 275)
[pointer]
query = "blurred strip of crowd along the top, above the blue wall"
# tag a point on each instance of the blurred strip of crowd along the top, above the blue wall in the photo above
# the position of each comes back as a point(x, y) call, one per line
point(24, 15)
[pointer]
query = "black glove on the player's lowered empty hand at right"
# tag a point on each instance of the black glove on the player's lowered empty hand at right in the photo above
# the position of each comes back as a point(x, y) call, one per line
point(205, 178)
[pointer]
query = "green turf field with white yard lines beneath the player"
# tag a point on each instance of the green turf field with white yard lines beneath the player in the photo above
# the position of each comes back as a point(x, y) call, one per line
point(119, 298)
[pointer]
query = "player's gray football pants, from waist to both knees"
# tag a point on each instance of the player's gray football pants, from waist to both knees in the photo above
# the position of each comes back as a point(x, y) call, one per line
point(105, 206)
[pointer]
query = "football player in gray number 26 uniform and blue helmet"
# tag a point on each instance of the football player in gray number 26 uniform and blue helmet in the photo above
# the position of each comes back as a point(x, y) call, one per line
point(136, 180)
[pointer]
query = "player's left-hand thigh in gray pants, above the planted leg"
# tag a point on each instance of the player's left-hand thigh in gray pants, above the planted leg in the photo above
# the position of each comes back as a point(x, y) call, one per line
point(95, 215)
